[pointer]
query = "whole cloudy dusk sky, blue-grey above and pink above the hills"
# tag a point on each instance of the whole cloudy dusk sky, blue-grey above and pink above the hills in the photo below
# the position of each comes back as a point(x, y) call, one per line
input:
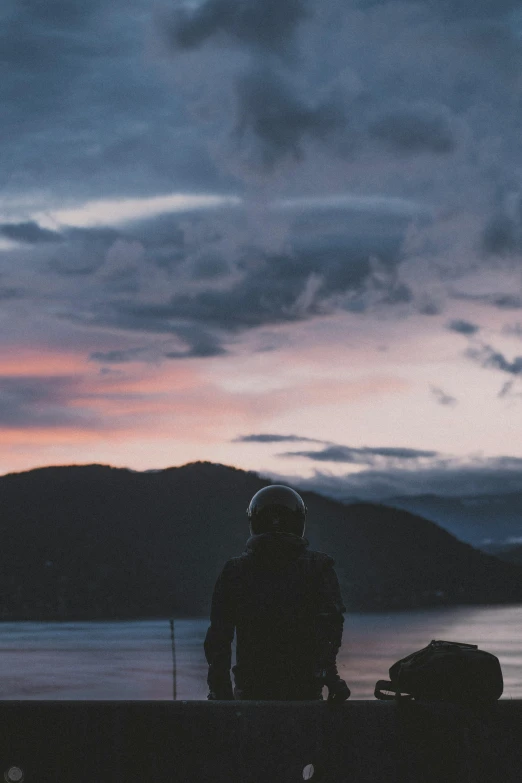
point(276, 234)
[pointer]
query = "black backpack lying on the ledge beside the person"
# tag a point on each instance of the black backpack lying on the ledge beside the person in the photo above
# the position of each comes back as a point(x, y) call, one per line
point(445, 671)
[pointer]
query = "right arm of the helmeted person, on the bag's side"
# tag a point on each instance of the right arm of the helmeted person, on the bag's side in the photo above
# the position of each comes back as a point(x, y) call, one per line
point(330, 623)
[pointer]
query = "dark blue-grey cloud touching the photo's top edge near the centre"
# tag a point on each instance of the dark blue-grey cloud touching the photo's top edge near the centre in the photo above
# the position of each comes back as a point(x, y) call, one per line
point(268, 25)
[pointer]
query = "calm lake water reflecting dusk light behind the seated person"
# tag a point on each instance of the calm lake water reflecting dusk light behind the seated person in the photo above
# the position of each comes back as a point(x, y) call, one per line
point(133, 660)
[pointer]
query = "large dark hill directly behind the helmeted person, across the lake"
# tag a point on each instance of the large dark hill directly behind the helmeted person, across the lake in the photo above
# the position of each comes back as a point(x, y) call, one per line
point(94, 541)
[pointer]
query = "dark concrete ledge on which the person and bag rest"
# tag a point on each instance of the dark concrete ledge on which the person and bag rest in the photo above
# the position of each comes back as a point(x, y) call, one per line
point(251, 742)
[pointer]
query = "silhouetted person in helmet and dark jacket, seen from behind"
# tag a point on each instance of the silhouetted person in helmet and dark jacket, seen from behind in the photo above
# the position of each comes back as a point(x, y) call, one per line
point(284, 603)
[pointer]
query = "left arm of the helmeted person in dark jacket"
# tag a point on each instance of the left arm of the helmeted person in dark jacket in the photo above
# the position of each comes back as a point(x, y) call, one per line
point(218, 641)
